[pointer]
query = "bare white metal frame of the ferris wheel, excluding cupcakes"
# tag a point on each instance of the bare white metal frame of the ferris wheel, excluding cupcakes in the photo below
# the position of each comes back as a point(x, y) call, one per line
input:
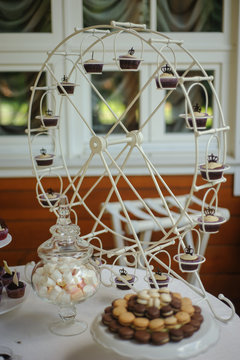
point(100, 147)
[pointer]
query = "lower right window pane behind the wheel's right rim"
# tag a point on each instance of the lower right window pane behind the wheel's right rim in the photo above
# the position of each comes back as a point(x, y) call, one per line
point(175, 104)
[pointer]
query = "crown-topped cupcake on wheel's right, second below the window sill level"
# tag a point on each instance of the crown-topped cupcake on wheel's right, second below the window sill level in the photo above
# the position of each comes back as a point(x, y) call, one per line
point(210, 222)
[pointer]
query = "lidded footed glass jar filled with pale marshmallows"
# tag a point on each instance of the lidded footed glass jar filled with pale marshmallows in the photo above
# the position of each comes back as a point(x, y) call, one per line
point(66, 275)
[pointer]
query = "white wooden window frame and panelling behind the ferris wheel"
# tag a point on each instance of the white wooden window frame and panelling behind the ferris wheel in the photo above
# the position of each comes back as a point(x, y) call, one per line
point(171, 152)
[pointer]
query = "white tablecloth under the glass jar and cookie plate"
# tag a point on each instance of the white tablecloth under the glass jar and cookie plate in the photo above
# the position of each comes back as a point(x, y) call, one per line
point(25, 329)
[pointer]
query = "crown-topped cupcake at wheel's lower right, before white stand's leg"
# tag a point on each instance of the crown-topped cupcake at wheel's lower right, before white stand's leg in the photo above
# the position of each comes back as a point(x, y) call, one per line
point(188, 261)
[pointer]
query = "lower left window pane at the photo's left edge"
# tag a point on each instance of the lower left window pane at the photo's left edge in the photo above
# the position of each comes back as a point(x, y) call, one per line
point(14, 101)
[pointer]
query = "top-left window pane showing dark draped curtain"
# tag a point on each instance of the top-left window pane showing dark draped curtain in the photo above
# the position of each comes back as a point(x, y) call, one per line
point(25, 16)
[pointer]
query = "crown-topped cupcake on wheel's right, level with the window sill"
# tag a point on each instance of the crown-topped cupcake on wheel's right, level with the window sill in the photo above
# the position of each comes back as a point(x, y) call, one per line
point(213, 170)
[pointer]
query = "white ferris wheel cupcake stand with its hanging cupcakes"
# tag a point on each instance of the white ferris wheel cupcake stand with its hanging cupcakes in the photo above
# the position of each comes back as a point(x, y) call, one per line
point(90, 59)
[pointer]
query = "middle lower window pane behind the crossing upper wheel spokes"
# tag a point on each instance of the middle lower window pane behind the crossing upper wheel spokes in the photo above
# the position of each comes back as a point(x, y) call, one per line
point(118, 89)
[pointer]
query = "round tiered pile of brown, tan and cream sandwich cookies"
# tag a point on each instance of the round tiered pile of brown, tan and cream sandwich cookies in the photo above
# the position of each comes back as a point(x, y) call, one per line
point(154, 316)
